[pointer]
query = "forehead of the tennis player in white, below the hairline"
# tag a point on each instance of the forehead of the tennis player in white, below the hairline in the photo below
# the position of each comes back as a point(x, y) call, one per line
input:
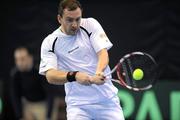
point(73, 14)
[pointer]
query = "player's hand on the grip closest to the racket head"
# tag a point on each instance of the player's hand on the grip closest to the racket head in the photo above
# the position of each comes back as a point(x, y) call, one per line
point(98, 79)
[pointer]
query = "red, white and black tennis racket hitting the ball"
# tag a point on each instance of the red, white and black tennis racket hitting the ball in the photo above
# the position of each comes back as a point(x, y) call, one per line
point(128, 64)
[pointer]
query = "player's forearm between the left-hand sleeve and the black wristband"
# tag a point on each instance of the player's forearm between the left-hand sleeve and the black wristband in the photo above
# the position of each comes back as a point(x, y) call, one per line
point(56, 77)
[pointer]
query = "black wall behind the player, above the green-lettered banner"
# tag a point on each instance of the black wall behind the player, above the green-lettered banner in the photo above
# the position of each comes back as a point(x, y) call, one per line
point(132, 25)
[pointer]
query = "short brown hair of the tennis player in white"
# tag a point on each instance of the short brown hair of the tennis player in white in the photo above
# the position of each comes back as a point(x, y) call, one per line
point(68, 4)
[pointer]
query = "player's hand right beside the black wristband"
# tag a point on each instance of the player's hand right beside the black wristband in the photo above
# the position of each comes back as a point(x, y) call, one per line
point(83, 78)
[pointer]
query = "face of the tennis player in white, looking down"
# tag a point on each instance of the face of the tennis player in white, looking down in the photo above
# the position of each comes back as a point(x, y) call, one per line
point(70, 21)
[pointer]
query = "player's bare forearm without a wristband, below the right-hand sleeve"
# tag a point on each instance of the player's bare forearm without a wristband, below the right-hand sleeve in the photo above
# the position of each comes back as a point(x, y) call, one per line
point(103, 61)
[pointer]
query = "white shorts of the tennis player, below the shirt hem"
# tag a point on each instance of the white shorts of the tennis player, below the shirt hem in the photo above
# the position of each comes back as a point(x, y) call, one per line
point(109, 110)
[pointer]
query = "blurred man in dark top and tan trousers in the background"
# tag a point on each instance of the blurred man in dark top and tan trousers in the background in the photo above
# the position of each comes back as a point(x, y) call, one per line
point(27, 87)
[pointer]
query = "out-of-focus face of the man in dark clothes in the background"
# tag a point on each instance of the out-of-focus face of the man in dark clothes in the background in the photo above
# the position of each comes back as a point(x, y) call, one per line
point(23, 60)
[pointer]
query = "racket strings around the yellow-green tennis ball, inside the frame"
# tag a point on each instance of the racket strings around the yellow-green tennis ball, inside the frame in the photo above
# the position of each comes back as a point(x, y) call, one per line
point(143, 62)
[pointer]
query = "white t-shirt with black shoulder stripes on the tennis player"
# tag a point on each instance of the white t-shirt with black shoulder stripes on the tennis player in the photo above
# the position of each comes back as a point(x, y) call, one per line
point(78, 53)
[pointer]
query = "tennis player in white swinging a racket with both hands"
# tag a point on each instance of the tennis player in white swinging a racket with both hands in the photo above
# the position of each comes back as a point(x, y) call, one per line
point(76, 55)
